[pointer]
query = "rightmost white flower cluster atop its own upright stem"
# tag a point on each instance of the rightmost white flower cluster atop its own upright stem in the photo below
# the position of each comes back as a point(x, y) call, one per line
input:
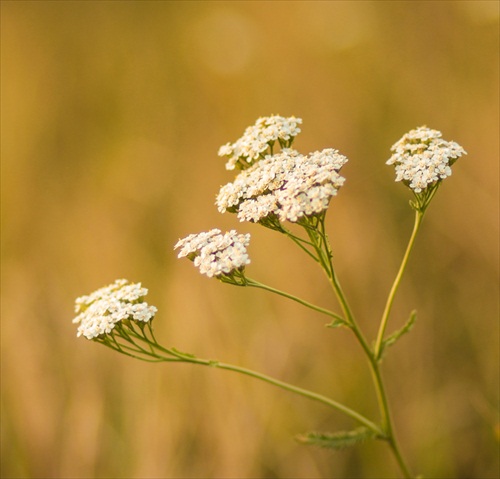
point(422, 158)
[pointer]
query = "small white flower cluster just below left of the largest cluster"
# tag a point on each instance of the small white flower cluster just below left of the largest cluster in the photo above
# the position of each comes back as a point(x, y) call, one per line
point(215, 253)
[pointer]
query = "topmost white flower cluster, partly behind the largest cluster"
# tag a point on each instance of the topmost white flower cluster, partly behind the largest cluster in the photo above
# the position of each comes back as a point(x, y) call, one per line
point(258, 138)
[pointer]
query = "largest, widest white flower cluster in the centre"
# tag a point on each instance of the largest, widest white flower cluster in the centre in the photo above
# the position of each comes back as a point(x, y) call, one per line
point(288, 185)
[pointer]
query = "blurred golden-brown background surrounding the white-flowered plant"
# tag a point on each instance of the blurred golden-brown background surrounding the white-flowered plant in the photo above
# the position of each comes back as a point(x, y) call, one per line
point(112, 114)
